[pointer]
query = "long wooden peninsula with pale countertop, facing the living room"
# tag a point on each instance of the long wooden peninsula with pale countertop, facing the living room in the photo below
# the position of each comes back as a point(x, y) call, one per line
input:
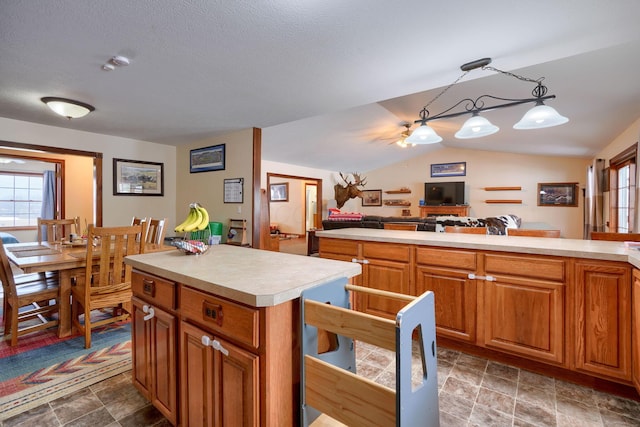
point(561, 307)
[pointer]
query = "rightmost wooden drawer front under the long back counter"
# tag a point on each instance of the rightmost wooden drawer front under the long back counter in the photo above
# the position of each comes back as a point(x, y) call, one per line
point(524, 266)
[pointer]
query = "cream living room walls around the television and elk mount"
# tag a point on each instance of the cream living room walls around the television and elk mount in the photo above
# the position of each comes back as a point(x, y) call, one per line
point(484, 169)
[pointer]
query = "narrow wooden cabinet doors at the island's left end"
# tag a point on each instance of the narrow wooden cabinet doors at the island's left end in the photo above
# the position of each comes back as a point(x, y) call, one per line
point(154, 357)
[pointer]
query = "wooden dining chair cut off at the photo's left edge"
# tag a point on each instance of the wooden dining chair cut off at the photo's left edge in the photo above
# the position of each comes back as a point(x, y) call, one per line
point(29, 299)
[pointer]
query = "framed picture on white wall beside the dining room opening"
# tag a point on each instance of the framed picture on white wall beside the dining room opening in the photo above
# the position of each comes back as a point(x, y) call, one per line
point(137, 178)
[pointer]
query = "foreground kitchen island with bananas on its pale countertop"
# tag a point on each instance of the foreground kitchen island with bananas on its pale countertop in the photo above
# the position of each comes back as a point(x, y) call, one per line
point(216, 336)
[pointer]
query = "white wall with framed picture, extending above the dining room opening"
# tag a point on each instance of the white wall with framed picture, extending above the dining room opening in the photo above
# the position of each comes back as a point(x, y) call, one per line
point(117, 210)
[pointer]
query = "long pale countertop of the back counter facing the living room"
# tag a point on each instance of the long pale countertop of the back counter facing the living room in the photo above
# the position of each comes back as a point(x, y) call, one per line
point(578, 248)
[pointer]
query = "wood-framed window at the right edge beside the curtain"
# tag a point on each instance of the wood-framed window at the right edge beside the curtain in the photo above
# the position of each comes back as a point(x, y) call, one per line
point(622, 191)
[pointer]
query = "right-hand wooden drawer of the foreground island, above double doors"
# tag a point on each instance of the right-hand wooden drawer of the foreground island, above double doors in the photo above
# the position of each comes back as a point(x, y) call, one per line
point(235, 321)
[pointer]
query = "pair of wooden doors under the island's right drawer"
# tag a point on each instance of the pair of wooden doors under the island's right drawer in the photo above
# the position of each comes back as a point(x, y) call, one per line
point(217, 389)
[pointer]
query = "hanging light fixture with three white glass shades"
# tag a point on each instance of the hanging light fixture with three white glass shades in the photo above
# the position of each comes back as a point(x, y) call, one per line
point(540, 116)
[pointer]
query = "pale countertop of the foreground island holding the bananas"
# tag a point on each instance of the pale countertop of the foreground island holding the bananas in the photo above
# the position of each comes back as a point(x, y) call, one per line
point(254, 277)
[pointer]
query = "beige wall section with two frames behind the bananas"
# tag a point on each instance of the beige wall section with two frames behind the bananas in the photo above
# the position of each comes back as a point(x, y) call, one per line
point(207, 188)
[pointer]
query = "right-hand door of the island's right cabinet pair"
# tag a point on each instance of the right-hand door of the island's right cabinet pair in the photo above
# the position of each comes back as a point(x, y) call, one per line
point(236, 387)
